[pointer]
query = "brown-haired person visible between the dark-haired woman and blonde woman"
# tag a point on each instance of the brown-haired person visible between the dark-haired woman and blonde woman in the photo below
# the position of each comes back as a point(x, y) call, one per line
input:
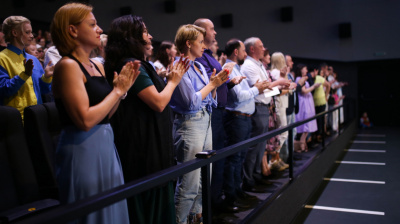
point(164, 57)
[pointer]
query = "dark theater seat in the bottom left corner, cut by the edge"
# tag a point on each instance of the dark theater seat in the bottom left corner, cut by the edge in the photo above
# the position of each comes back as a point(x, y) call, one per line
point(19, 191)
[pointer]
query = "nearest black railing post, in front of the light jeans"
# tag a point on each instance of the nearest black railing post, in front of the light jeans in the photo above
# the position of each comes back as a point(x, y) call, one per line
point(206, 196)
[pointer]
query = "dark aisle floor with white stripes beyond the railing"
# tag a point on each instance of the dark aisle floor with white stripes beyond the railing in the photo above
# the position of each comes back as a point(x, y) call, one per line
point(364, 187)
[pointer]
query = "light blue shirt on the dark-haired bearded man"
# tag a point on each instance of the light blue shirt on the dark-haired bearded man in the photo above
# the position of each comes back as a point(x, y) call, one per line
point(241, 96)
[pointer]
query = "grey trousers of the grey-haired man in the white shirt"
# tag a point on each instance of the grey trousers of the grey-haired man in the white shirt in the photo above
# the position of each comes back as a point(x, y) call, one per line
point(252, 163)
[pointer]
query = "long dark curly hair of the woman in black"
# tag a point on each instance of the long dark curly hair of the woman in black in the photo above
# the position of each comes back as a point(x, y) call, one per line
point(125, 40)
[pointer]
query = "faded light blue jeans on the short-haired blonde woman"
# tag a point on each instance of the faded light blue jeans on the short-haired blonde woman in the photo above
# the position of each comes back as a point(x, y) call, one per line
point(192, 134)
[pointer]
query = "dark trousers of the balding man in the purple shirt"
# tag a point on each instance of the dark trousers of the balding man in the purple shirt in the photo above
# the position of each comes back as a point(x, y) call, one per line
point(218, 137)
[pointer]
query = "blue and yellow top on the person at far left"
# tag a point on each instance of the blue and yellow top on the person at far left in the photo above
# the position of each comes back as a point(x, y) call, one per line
point(17, 89)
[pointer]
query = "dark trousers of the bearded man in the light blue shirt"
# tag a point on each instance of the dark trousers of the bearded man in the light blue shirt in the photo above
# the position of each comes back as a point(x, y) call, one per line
point(238, 128)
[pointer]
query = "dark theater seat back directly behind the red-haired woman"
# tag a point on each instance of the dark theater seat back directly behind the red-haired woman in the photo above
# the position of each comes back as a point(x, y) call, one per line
point(42, 128)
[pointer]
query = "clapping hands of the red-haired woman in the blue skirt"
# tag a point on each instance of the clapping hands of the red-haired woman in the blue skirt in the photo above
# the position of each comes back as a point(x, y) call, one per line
point(126, 77)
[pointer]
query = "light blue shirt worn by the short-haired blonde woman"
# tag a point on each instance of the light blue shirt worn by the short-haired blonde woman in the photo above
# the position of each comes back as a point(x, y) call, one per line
point(186, 98)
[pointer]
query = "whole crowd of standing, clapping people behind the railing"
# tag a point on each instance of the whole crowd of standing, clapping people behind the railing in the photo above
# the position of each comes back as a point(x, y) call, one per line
point(125, 117)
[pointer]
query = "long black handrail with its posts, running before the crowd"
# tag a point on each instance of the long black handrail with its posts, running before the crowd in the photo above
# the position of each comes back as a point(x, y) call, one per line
point(72, 211)
